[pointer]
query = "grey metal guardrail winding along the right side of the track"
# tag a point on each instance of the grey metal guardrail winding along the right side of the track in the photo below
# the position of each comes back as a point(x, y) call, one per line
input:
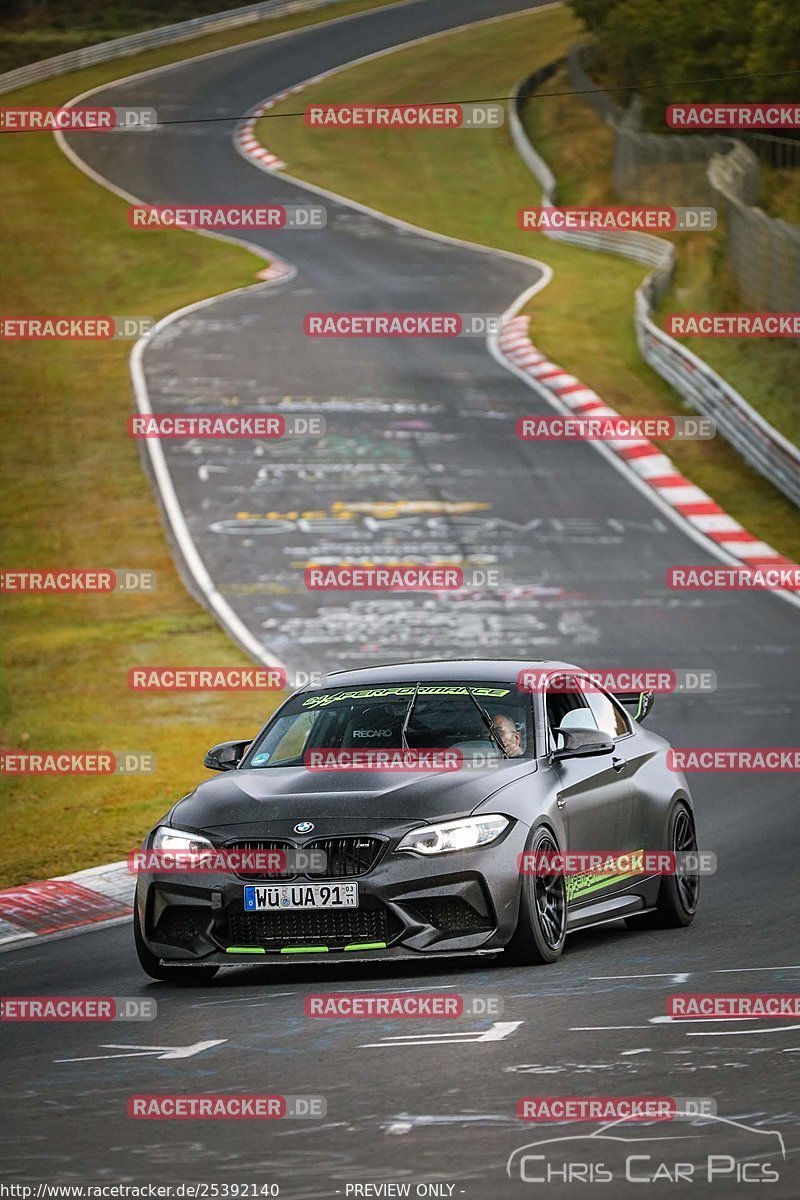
point(755, 439)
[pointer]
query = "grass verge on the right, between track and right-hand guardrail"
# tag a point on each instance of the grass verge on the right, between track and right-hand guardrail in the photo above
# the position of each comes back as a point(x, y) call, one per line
point(471, 184)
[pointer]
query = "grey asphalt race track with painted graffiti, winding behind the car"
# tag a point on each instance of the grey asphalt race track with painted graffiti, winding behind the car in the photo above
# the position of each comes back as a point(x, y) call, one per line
point(584, 556)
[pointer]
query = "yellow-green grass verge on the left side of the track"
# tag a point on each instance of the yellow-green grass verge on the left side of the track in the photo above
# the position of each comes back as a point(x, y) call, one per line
point(76, 496)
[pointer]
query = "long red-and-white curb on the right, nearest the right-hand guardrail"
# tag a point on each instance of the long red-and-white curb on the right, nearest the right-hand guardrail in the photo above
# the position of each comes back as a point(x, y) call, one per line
point(640, 455)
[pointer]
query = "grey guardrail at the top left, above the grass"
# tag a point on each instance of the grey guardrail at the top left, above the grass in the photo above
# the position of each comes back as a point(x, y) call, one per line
point(152, 39)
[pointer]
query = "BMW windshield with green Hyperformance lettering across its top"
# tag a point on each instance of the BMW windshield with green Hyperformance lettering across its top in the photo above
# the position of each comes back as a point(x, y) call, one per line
point(473, 718)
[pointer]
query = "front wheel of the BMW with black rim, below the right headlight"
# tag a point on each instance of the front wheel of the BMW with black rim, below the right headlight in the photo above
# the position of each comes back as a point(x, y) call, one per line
point(542, 927)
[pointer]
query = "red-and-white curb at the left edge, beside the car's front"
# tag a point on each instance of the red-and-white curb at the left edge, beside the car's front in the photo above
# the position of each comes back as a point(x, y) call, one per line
point(52, 908)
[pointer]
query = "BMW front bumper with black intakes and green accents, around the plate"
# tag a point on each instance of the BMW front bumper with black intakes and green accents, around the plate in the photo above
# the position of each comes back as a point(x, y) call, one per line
point(410, 907)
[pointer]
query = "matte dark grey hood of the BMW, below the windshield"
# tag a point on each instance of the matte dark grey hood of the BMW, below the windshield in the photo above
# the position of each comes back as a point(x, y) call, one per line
point(270, 799)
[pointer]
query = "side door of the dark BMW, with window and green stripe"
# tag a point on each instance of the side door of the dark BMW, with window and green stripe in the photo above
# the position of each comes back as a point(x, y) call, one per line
point(594, 794)
